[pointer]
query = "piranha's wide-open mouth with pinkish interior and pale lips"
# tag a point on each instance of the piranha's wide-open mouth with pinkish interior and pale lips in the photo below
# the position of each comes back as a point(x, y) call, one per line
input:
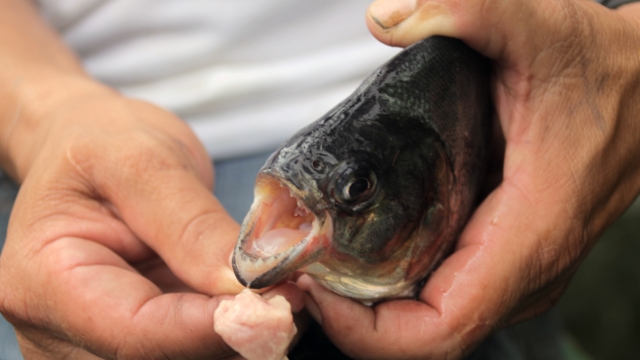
point(279, 235)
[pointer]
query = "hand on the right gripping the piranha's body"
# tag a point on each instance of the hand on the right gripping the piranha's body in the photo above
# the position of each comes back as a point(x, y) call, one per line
point(566, 89)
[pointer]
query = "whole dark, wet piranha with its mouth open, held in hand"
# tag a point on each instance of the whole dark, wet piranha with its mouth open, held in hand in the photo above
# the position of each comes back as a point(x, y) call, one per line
point(368, 199)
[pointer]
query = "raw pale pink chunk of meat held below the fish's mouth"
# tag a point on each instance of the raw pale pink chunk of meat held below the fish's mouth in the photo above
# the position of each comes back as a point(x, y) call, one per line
point(254, 327)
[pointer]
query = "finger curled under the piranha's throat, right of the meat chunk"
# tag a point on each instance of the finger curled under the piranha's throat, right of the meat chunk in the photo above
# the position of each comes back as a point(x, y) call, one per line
point(398, 329)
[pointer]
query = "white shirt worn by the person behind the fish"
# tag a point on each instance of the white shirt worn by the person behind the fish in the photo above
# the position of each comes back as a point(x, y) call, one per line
point(244, 74)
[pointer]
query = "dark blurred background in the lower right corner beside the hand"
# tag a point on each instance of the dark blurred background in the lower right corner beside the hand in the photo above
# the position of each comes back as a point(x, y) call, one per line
point(601, 306)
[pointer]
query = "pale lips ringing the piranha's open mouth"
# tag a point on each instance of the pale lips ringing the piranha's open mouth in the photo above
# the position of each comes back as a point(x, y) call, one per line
point(280, 265)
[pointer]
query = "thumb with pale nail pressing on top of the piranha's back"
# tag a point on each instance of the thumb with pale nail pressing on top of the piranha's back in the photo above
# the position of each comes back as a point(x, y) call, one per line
point(489, 26)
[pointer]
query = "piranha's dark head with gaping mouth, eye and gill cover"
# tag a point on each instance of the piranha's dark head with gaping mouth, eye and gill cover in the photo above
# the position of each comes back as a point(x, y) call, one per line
point(364, 222)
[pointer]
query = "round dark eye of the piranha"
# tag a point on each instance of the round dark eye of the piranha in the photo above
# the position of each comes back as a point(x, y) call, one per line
point(355, 186)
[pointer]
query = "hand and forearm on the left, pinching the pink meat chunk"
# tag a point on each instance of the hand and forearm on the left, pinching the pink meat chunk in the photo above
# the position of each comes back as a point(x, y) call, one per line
point(116, 247)
